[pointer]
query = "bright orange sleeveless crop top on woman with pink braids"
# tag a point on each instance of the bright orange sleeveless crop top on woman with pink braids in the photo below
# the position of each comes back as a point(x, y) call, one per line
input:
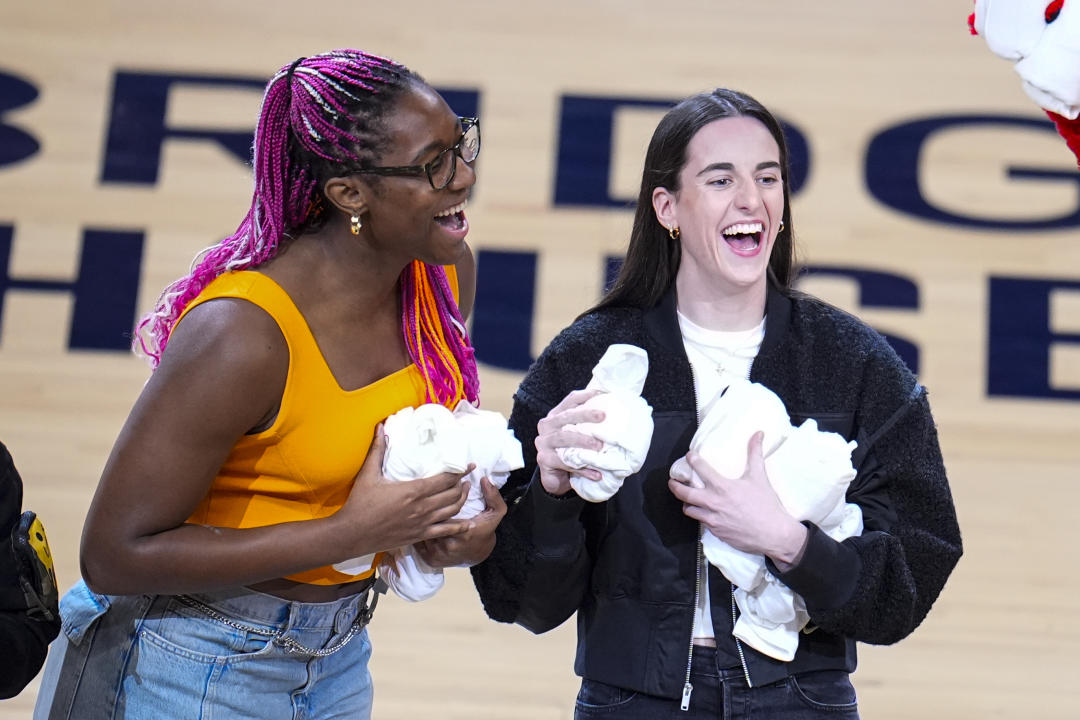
point(303, 467)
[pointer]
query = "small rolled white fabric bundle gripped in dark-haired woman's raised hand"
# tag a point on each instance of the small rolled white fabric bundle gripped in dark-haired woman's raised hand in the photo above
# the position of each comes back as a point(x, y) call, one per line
point(627, 429)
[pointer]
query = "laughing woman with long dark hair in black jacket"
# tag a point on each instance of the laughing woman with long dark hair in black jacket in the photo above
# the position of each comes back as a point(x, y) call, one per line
point(706, 291)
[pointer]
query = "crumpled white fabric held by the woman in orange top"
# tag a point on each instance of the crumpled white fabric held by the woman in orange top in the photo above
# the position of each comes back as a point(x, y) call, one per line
point(428, 441)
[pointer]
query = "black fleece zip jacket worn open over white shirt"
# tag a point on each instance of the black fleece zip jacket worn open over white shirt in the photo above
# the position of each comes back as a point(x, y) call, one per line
point(628, 566)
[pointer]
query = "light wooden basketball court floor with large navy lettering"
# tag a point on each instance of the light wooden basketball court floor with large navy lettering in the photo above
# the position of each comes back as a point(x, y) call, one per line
point(1002, 642)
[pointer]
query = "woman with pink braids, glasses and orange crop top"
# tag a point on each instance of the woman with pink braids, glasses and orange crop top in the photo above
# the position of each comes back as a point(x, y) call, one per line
point(248, 468)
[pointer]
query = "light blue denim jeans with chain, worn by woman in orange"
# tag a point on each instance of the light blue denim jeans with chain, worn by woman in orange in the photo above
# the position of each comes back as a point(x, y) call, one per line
point(232, 654)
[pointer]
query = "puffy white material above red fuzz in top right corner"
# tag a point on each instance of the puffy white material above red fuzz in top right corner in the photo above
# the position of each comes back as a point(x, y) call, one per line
point(1047, 57)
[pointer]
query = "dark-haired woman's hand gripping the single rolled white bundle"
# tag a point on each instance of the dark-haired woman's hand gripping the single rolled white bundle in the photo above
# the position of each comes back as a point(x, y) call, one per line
point(555, 434)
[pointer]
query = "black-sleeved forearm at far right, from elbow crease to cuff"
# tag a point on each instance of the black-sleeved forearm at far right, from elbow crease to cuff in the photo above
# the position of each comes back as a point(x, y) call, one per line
point(877, 588)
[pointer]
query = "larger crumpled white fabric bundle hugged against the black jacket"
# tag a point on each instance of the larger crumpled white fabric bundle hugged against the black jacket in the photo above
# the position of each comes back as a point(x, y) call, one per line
point(811, 472)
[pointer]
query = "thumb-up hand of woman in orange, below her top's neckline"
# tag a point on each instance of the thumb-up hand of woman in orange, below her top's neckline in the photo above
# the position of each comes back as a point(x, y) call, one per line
point(382, 514)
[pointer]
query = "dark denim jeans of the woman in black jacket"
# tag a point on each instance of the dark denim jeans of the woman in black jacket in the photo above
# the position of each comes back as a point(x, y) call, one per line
point(722, 694)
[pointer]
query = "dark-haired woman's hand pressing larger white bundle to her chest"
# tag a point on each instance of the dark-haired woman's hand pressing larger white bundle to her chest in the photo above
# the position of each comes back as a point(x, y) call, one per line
point(744, 512)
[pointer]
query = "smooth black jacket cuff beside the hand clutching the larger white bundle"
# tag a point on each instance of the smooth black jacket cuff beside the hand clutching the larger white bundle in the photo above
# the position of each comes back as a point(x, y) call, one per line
point(827, 576)
